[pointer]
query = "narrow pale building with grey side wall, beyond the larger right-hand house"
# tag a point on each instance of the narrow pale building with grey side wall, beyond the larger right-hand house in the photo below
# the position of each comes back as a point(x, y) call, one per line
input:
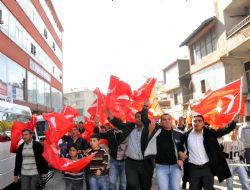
point(177, 88)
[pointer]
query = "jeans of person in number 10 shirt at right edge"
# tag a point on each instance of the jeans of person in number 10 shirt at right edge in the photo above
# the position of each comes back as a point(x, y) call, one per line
point(242, 173)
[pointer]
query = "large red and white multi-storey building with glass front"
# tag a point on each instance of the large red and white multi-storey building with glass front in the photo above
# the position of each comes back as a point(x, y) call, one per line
point(31, 58)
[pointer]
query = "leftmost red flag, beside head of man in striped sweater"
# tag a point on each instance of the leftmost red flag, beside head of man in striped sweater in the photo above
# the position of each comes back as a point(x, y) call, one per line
point(16, 131)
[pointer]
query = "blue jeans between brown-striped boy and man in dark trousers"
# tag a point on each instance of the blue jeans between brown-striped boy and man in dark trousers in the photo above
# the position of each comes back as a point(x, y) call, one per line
point(117, 170)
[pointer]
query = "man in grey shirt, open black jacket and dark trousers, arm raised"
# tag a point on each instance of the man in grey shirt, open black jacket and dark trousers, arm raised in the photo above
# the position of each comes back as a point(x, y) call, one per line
point(139, 171)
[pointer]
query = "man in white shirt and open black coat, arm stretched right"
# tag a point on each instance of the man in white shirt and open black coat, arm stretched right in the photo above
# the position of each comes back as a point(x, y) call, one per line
point(205, 158)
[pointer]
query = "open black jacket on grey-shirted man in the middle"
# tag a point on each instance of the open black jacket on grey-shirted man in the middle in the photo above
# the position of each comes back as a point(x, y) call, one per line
point(127, 128)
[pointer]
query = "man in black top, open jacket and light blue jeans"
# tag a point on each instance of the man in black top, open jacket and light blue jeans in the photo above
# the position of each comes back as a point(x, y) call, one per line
point(164, 145)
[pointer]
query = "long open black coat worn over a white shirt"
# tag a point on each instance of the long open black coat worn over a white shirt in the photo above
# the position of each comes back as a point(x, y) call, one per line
point(216, 157)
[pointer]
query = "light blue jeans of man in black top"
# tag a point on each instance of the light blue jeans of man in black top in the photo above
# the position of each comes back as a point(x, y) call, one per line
point(168, 177)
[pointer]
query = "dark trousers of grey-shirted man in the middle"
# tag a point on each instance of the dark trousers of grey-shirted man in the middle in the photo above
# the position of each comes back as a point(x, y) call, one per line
point(139, 174)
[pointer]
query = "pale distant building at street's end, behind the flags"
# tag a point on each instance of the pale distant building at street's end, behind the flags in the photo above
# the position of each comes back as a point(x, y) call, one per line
point(81, 100)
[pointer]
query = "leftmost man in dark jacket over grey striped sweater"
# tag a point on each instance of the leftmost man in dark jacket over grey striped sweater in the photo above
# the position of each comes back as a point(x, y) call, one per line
point(29, 162)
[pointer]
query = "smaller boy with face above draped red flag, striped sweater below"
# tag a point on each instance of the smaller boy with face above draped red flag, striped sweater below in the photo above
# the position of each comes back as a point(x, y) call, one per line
point(74, 181)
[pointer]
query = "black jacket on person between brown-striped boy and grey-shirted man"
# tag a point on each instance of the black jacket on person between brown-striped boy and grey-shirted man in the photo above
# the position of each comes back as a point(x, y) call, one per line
point(113, 138)
